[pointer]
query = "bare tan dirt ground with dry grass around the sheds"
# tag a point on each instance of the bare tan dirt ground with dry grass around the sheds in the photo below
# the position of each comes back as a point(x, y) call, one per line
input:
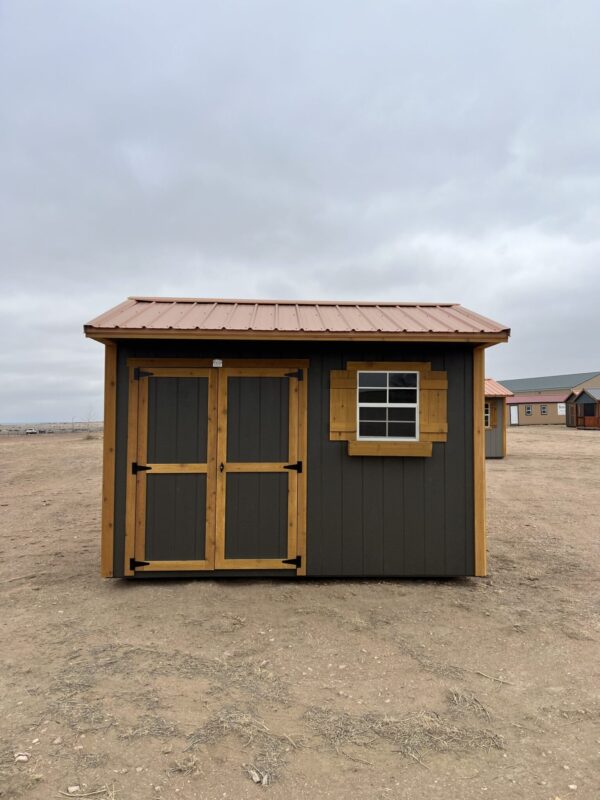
point(478, 688)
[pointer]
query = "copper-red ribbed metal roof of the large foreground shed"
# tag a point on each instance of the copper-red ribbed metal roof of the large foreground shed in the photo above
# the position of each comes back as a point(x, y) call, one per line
point(324, 319)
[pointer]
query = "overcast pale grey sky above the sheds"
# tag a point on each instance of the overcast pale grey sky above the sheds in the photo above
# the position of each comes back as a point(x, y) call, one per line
point(432, 150)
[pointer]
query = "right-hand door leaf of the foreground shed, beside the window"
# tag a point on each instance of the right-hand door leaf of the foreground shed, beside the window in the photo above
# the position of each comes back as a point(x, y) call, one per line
point(259, 468)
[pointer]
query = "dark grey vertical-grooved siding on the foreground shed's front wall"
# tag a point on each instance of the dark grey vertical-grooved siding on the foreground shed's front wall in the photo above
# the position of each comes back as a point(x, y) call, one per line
point(366, 516)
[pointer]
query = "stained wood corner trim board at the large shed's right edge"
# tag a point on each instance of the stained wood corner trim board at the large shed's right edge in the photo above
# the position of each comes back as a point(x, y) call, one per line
point(479, 461)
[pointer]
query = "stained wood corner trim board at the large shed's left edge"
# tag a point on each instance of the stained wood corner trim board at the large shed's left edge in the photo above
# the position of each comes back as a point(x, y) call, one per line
point(108, 458)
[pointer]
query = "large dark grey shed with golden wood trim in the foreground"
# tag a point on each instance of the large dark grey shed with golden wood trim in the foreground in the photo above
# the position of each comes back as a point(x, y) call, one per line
point(282, 438)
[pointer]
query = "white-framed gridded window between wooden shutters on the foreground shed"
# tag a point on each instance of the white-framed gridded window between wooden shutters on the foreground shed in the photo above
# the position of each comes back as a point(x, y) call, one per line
point(388, 405)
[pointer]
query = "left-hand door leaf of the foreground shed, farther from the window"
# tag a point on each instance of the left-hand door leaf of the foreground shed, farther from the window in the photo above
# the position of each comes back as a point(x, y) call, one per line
point(171, 502)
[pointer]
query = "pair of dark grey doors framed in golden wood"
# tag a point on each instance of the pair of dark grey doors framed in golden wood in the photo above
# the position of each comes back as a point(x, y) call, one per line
point(216, 466)
